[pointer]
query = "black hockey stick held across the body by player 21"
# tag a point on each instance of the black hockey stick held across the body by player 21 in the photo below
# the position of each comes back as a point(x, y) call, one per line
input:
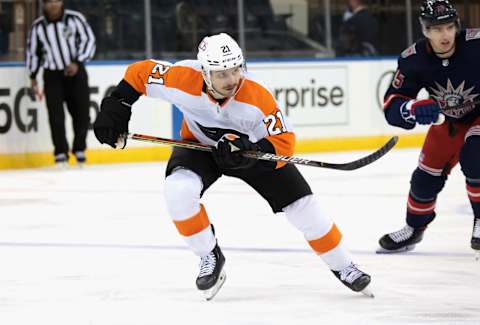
point(272, 157)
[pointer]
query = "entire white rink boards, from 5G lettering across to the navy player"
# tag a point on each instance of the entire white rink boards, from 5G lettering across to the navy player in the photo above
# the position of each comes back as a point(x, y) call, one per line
point(320, 98)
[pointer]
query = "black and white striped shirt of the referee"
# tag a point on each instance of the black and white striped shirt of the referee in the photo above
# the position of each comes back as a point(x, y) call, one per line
point(56, 44)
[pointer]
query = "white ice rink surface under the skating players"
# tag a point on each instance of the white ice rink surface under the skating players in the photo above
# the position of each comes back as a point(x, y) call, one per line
point(95, 246)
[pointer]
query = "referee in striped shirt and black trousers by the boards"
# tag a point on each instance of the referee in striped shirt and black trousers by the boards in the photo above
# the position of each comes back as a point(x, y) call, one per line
point(61, 41)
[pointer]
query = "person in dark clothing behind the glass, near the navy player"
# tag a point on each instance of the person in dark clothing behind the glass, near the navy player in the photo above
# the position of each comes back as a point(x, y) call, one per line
point(359, 31)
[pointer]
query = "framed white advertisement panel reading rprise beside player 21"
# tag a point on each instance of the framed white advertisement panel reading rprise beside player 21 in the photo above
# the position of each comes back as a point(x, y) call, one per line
point(309, 94)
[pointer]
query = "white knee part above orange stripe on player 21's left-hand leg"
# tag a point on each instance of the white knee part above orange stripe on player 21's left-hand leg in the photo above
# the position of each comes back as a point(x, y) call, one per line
point(182, 193)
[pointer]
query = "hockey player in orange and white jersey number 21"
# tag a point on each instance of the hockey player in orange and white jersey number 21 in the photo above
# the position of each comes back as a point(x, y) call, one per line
point(225, 107)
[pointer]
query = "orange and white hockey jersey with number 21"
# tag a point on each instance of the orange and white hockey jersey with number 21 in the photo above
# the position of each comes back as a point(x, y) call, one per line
point(252, 111)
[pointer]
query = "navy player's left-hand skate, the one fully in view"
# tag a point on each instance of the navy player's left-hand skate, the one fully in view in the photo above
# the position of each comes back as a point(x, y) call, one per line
point(403, 240)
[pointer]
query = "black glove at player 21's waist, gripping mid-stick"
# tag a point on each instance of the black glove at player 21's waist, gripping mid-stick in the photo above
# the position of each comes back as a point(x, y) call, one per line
point(227, 153)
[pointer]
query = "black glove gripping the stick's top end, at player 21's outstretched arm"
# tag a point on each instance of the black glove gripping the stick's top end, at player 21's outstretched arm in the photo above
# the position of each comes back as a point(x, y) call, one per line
point(112, 121)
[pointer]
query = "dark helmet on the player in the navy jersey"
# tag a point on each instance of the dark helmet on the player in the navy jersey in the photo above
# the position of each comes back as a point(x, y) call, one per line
point(437, 12)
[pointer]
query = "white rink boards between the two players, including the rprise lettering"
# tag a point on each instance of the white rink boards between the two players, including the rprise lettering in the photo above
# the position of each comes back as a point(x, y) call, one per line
point(347, 95)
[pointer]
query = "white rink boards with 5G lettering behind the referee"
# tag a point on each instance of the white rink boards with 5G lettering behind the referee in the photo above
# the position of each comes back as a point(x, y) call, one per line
point(149, 116)
